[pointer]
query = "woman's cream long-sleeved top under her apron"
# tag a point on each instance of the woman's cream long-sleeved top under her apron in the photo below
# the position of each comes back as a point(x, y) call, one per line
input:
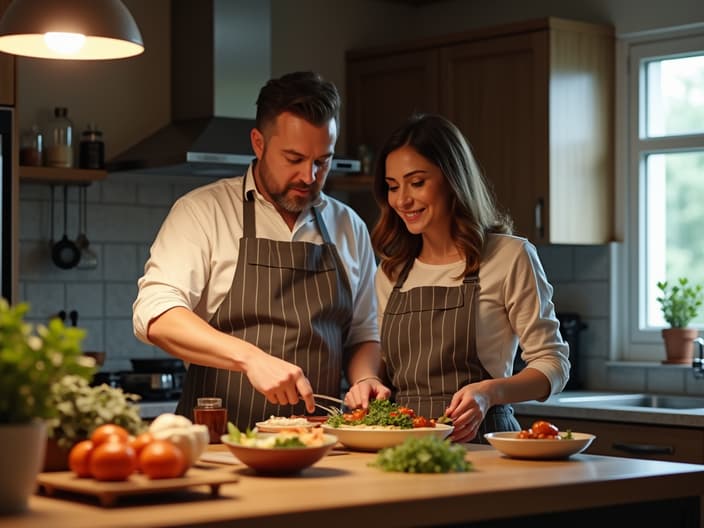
point(515, 305)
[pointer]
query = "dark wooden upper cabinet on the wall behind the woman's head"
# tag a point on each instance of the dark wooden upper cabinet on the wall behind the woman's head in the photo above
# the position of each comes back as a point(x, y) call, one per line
point(535, 101)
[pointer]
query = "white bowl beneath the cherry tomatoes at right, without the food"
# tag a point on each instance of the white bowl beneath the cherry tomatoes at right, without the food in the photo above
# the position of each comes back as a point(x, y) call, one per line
point(509, 444)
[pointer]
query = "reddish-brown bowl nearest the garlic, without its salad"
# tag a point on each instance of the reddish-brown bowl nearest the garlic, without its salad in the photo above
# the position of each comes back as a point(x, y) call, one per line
point(279, 460)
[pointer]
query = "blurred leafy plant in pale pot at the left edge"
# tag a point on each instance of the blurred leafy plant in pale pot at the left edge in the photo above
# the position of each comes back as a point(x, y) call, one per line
point(31, 361)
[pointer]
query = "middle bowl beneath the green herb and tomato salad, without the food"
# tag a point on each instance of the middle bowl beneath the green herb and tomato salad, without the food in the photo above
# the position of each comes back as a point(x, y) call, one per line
point(374, 438)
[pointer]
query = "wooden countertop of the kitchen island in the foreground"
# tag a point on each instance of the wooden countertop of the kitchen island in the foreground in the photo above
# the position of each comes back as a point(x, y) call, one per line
point(342, 490)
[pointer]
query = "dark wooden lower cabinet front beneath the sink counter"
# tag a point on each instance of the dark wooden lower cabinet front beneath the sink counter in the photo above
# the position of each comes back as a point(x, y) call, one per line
point(673, 444)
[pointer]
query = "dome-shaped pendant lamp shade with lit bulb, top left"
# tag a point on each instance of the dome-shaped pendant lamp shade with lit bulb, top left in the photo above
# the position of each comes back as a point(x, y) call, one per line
point(70, 29)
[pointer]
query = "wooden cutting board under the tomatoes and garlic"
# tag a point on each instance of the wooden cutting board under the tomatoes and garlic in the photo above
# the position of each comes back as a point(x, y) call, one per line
point(109, 492)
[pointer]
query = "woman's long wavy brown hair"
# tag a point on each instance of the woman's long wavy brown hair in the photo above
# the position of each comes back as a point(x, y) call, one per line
point(472, 205)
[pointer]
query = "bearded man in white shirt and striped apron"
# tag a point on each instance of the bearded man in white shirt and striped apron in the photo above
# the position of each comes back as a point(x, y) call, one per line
point(262, 283)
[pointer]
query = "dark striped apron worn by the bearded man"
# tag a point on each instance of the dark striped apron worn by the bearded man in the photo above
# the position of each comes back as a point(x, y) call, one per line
point(292, 300)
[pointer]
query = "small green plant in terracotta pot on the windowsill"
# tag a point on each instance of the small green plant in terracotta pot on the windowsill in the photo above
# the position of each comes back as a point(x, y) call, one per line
point(680, 303)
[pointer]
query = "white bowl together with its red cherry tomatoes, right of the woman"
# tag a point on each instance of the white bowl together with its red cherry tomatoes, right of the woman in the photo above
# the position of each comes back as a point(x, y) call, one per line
point(542, 441)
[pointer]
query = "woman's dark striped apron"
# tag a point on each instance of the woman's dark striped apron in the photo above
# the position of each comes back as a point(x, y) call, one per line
point(429, 345)
